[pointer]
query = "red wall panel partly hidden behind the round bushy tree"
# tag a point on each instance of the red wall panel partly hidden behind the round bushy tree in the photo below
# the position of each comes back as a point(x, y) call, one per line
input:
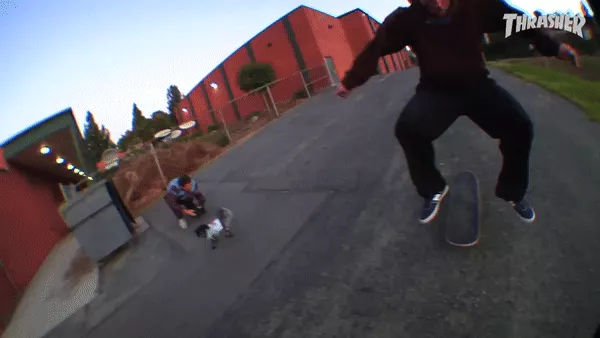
point(247, 104)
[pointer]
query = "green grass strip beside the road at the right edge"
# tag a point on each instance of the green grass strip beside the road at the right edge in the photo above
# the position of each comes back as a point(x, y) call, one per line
point(581, 86)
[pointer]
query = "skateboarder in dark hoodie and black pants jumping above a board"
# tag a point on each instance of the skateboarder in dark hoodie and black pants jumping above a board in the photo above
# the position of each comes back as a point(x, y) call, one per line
point(446, 36)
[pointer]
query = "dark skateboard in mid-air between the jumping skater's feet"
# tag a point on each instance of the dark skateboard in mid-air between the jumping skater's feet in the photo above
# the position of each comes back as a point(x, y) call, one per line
point(464, 210)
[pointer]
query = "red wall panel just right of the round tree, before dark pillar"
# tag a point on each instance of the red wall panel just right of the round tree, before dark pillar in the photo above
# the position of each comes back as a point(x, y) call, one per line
point(281, 55)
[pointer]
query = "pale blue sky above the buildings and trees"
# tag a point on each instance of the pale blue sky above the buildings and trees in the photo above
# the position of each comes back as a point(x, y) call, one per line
point(105, 55)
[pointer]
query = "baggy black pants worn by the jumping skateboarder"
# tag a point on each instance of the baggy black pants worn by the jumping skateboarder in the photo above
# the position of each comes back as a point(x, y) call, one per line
point(432, 110)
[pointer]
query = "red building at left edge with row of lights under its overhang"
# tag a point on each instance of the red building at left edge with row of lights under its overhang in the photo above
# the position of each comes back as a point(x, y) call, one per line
point(32, 165)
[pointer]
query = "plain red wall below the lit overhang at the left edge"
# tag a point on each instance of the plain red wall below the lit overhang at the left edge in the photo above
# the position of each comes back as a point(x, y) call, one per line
point(28, 233)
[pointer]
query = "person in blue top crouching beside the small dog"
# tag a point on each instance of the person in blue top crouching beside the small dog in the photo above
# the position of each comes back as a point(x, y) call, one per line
point(184, 197)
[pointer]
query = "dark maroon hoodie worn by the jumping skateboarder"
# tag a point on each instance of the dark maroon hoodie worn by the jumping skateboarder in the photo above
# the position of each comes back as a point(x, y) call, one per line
point(448, 53)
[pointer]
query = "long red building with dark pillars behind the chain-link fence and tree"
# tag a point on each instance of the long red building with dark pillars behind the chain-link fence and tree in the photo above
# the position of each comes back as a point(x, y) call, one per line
point(303, 39)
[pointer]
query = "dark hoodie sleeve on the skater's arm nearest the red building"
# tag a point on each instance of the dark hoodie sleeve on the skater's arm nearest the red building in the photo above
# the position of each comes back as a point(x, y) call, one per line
point(390, 37)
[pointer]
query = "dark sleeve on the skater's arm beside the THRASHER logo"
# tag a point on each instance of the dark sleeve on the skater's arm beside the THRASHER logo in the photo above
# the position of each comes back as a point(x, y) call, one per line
point(493, 18)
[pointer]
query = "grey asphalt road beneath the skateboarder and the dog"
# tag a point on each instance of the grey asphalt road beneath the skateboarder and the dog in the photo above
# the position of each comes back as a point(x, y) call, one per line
point(328, 244)
